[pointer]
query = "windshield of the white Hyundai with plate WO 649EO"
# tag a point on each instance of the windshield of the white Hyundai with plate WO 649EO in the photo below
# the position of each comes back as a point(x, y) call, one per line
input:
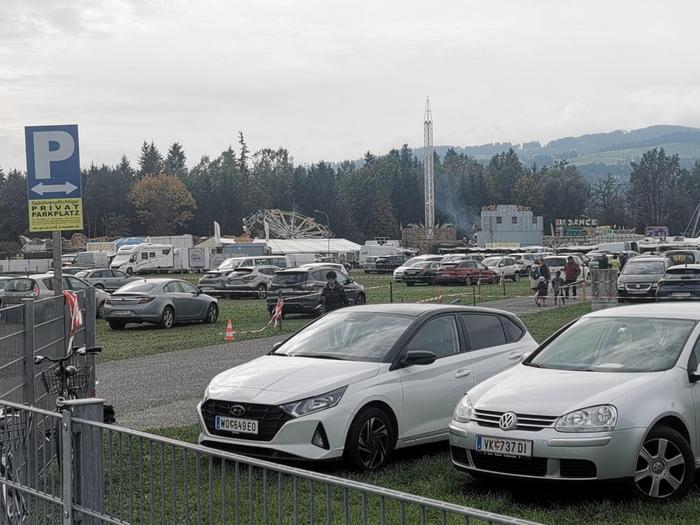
point(348, 336)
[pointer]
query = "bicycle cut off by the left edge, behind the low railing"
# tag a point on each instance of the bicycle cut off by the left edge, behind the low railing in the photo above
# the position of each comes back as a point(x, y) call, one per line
point(13, 508)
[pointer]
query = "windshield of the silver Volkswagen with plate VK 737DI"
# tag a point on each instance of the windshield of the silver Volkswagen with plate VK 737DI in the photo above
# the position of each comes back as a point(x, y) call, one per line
point(616, 344)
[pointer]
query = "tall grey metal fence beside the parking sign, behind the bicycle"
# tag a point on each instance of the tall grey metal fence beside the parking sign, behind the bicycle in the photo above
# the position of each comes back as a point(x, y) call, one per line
point(39, 327)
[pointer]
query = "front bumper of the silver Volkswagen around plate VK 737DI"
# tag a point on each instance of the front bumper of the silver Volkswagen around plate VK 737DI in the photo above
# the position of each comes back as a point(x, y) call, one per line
point(555, 455)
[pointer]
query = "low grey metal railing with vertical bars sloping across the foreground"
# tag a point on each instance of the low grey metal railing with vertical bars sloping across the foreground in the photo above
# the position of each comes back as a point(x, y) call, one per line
point(97, 473)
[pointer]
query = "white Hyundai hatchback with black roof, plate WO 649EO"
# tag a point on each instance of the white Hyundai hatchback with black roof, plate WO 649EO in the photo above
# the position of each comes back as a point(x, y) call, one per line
point(360, 382)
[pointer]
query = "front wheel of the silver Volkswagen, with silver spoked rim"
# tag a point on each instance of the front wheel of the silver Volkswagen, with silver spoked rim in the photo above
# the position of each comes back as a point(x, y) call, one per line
point(665, 466)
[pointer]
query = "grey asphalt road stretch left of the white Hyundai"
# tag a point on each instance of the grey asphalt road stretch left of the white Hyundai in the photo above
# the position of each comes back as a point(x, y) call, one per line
point(163, 390)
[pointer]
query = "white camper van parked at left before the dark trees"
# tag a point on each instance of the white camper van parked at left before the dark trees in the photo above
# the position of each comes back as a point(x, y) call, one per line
point(149, 258)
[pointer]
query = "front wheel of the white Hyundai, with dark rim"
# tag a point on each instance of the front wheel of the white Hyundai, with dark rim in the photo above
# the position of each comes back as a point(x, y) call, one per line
point(370, 441)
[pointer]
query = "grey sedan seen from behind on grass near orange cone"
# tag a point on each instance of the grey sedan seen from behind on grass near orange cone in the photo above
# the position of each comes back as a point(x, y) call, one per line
point(165, 302)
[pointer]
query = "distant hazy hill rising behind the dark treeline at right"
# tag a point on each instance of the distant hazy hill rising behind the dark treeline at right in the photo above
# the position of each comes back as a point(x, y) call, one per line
point(596, 154)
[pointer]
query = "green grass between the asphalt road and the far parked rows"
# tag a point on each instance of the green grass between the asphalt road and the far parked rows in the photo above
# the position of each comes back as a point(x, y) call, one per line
point(250, 315)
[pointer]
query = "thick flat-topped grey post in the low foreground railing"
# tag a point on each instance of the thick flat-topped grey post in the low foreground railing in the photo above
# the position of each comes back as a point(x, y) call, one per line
point(87, 456)
